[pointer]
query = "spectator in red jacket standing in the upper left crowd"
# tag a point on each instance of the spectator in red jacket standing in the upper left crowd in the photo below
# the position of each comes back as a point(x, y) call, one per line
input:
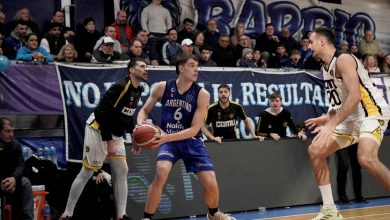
point(124, 33)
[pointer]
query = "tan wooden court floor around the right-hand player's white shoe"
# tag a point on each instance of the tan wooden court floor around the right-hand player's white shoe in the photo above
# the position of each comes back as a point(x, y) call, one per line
point(368, 213)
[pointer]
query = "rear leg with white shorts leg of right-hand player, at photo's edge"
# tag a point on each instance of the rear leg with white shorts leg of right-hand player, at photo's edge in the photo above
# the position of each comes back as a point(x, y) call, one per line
point(371, 135)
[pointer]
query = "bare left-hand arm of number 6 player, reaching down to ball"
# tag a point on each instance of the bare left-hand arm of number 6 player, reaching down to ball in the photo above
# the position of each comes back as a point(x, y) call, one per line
point(154, 97)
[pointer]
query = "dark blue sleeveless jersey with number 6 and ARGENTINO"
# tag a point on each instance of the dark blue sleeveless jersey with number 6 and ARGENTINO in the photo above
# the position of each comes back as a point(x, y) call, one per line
point(177, 110)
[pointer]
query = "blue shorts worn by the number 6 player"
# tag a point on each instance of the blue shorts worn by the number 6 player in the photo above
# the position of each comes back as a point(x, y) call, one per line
point(192, 151)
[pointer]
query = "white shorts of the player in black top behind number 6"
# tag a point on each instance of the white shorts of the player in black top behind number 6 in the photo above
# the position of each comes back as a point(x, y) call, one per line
point(95, 149)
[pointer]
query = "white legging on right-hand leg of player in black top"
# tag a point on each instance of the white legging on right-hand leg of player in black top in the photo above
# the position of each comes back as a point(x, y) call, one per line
point(119, 172)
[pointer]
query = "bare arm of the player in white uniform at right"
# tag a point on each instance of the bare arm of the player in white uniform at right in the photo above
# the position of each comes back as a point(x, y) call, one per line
point(346, 68)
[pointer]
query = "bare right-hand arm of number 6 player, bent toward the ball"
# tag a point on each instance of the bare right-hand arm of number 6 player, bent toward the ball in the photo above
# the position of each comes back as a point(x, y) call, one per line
point(197, 120)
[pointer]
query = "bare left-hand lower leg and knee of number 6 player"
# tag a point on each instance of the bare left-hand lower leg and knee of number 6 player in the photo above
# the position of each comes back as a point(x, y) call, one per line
point(163, 168)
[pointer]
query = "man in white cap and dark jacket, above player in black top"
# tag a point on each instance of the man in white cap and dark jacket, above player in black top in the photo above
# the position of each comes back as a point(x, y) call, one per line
point(106, 54)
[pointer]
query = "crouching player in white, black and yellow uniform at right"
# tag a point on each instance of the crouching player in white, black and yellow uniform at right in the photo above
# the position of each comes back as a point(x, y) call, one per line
point(357, 113)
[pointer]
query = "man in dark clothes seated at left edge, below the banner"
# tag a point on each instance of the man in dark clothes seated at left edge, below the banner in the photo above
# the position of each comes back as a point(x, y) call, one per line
point(14, 185)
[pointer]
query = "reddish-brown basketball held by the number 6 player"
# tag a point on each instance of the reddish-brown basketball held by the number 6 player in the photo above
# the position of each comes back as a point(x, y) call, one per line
point(144, 135)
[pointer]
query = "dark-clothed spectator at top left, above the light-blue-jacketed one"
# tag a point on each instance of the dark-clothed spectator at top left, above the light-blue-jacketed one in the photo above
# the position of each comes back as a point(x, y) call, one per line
point(25, 16)
